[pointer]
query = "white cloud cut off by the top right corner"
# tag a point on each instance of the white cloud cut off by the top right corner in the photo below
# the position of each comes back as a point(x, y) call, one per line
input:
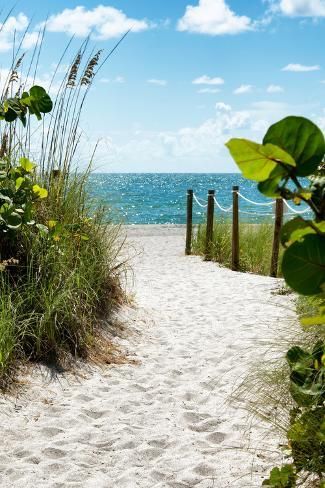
point(300, 8)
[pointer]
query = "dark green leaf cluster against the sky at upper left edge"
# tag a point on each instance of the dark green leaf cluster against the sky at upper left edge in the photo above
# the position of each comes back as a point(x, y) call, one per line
point(35, 102)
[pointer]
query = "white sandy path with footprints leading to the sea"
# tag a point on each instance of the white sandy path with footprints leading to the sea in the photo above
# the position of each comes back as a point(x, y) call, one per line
point(164, 422)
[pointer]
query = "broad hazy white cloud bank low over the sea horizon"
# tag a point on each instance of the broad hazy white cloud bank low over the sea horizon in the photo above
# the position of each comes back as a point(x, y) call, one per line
point(182, 149)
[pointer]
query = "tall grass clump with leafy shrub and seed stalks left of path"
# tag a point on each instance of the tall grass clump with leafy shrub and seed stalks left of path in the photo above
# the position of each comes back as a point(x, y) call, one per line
point(59, 259)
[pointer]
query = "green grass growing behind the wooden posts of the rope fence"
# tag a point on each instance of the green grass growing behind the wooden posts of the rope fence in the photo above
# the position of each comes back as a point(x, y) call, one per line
point(255, 245)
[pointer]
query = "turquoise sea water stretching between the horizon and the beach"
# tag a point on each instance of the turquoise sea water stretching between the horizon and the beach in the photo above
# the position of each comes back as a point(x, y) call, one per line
point(161, 198)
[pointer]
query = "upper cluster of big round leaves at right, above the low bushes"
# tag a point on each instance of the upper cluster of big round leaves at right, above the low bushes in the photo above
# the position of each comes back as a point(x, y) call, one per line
point(300, 150)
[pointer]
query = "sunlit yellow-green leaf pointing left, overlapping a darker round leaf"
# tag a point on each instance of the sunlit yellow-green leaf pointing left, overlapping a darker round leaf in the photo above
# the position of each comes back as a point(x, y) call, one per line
point(258, 162)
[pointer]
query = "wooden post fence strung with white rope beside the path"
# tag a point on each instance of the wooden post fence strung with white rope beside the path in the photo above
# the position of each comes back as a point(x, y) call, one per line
point(278, 215)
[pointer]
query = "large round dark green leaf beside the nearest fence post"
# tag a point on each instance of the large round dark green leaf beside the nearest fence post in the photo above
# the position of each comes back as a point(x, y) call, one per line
point(303, 265)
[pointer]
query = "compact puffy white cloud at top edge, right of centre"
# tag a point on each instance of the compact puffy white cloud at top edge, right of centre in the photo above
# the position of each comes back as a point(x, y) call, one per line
point(213, 17)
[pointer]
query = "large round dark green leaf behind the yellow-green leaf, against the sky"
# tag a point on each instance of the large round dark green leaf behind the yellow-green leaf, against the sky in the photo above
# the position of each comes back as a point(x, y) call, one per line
point(302, 139)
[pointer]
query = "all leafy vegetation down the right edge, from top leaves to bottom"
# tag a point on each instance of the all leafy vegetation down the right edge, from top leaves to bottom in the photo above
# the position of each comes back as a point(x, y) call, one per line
point(291, 149)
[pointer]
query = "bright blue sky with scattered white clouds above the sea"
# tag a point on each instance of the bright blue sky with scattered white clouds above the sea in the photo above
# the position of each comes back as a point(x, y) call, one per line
point(190, 75)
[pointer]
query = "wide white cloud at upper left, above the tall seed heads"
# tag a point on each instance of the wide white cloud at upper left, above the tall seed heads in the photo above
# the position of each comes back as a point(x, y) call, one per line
point(103, 22)
